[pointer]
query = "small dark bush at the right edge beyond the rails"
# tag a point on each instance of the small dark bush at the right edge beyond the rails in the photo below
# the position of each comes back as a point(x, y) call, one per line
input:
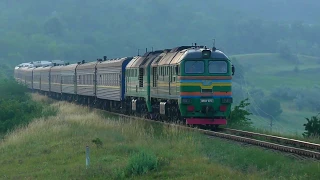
point(312, 127)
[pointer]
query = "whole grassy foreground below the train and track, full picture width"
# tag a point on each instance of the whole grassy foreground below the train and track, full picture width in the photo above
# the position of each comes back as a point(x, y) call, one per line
point(54, 148)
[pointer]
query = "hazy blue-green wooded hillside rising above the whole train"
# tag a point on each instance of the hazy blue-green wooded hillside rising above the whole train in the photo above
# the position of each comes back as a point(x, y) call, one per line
point(74, 30)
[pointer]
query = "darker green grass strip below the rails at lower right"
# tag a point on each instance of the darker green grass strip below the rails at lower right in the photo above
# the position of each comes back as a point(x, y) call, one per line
point(253, 160)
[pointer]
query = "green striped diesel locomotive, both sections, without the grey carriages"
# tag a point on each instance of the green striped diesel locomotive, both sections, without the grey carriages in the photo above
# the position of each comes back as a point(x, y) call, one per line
point(186, 83)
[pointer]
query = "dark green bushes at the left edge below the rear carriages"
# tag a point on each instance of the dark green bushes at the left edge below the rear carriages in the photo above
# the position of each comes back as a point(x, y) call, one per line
point(16, 106)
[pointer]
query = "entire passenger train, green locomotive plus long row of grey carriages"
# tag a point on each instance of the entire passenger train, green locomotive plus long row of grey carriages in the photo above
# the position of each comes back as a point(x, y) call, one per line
point(188, 84)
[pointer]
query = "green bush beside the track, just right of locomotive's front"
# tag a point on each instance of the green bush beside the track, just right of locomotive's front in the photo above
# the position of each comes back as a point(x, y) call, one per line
point(238, 116)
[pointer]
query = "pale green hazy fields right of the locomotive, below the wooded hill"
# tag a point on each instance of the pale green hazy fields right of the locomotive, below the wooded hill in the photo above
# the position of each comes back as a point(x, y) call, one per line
point(268, 72)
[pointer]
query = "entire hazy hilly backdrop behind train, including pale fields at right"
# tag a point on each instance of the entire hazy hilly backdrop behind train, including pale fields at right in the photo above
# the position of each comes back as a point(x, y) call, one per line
point(274, 44)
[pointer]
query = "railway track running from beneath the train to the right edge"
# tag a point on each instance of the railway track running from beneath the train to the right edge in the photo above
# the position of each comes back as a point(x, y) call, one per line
point(249, 139)
